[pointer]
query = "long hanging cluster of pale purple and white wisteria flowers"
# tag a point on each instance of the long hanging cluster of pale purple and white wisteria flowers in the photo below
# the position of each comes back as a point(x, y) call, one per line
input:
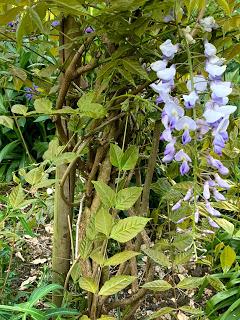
point(177, 117)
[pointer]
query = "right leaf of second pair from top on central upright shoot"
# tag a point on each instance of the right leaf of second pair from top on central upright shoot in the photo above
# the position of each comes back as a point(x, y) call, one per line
point(127, 197)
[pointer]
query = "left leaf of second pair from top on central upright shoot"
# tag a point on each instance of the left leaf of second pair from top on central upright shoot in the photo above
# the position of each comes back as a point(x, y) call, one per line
point(105, 193)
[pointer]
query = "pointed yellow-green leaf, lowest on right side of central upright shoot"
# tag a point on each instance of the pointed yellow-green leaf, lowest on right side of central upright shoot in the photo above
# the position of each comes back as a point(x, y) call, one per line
point(115, 284)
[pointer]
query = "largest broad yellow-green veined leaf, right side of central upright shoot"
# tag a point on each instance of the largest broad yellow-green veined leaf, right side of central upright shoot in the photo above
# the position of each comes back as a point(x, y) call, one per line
point(128, 228)
